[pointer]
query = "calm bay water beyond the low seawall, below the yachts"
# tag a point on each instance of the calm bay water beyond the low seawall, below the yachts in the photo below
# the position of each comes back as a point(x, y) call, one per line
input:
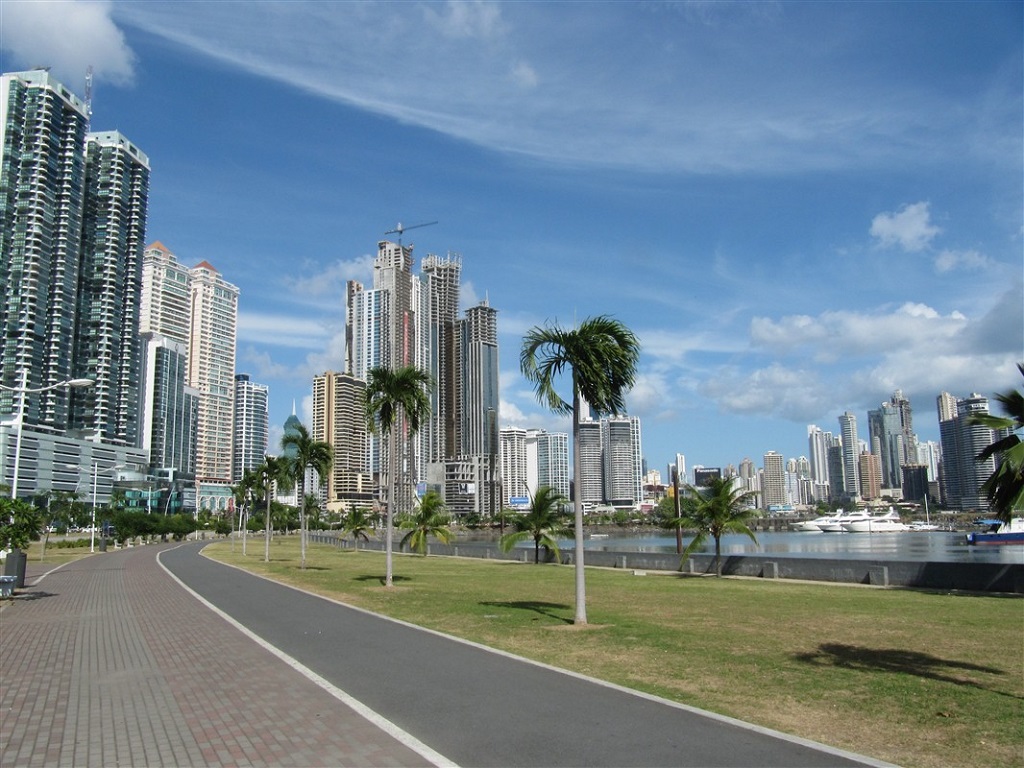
point(919, 546)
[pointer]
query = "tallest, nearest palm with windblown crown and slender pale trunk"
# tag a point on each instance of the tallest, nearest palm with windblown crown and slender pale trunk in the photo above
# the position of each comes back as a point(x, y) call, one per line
point(603, 357)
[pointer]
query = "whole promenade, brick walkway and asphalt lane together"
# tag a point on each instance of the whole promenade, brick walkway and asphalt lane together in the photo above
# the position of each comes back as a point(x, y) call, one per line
point(113, 661)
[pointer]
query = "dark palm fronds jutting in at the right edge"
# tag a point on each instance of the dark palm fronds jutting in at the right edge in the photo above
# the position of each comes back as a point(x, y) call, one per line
point(1005, 488)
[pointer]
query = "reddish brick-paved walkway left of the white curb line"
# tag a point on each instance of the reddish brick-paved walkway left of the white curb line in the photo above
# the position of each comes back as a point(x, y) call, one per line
point(109, 662)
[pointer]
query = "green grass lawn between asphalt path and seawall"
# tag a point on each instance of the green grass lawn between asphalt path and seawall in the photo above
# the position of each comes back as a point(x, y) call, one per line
point(912, 677)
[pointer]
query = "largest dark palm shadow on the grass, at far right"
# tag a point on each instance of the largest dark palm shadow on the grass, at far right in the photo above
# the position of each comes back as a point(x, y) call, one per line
point(900, 661)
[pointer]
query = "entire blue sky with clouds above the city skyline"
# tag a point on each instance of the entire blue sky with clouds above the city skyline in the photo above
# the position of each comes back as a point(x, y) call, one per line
point(797, 207)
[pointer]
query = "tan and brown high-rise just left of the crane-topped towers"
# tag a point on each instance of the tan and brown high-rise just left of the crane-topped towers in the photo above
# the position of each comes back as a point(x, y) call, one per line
point(339, 421)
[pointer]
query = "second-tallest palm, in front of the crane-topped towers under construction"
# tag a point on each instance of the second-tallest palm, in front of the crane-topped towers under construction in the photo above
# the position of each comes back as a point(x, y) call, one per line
point(396, 401)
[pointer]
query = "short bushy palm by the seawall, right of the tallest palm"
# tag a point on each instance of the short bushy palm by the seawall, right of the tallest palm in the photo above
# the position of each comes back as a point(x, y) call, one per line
point(719, 507)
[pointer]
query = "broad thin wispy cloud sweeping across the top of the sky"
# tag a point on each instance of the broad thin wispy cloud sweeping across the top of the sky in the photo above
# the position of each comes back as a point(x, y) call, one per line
point(502, 76)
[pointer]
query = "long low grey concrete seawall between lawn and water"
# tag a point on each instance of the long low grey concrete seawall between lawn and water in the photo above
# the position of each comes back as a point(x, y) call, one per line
point(942, 576)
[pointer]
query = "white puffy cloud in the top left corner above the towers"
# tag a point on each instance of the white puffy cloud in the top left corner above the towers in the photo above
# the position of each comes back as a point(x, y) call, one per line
point(68, 37)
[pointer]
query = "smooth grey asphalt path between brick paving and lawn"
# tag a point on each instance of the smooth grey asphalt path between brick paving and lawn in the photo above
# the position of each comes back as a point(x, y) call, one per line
point(477, 707)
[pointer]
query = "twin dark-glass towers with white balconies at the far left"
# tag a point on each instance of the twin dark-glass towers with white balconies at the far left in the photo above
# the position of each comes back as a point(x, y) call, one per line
point(73, 209)
